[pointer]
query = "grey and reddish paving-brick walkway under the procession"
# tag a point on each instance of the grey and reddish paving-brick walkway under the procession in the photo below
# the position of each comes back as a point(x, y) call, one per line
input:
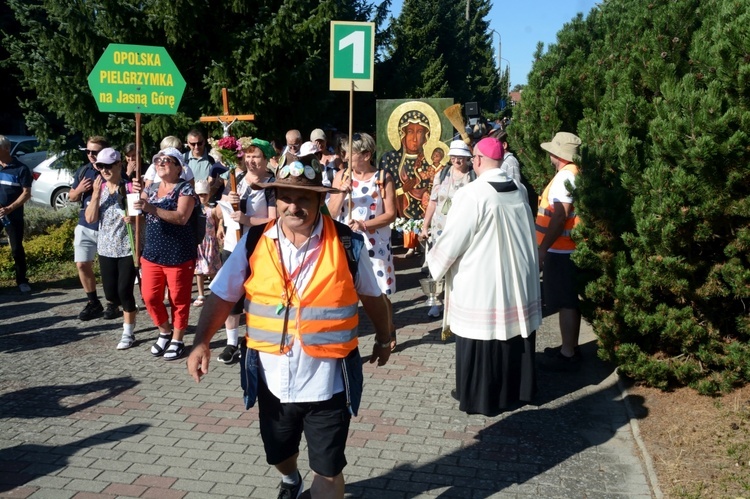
point(80, 419)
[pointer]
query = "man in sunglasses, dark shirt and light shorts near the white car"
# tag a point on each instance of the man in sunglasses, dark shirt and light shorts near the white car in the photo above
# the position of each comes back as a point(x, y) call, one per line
point(86, 234)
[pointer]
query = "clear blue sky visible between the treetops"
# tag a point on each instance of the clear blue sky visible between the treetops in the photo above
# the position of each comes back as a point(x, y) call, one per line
point(521, 25)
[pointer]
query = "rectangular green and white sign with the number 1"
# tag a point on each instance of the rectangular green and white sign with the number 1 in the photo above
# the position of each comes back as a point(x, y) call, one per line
point(352, 55)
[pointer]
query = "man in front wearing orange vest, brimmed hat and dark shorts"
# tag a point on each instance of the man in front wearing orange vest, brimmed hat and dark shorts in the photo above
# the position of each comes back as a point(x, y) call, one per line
point(301, 358)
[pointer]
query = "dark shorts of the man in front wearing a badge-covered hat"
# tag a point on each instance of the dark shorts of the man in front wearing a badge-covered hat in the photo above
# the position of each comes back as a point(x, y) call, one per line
point(325, 424)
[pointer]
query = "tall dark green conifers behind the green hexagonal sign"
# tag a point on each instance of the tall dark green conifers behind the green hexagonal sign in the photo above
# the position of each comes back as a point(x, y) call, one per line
point(272, 55)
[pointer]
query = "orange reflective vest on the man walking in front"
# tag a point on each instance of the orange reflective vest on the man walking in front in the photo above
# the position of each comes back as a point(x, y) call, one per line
point(323, 319)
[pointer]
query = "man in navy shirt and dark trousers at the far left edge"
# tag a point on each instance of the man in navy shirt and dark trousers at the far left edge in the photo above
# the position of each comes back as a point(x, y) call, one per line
point(15, 190)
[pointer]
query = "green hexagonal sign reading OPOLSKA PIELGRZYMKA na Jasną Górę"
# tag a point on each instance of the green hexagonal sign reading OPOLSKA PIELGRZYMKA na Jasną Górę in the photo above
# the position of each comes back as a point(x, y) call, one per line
point(136, 79)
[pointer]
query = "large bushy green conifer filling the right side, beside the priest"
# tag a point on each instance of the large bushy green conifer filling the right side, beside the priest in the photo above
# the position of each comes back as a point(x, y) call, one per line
point(659, 93)
